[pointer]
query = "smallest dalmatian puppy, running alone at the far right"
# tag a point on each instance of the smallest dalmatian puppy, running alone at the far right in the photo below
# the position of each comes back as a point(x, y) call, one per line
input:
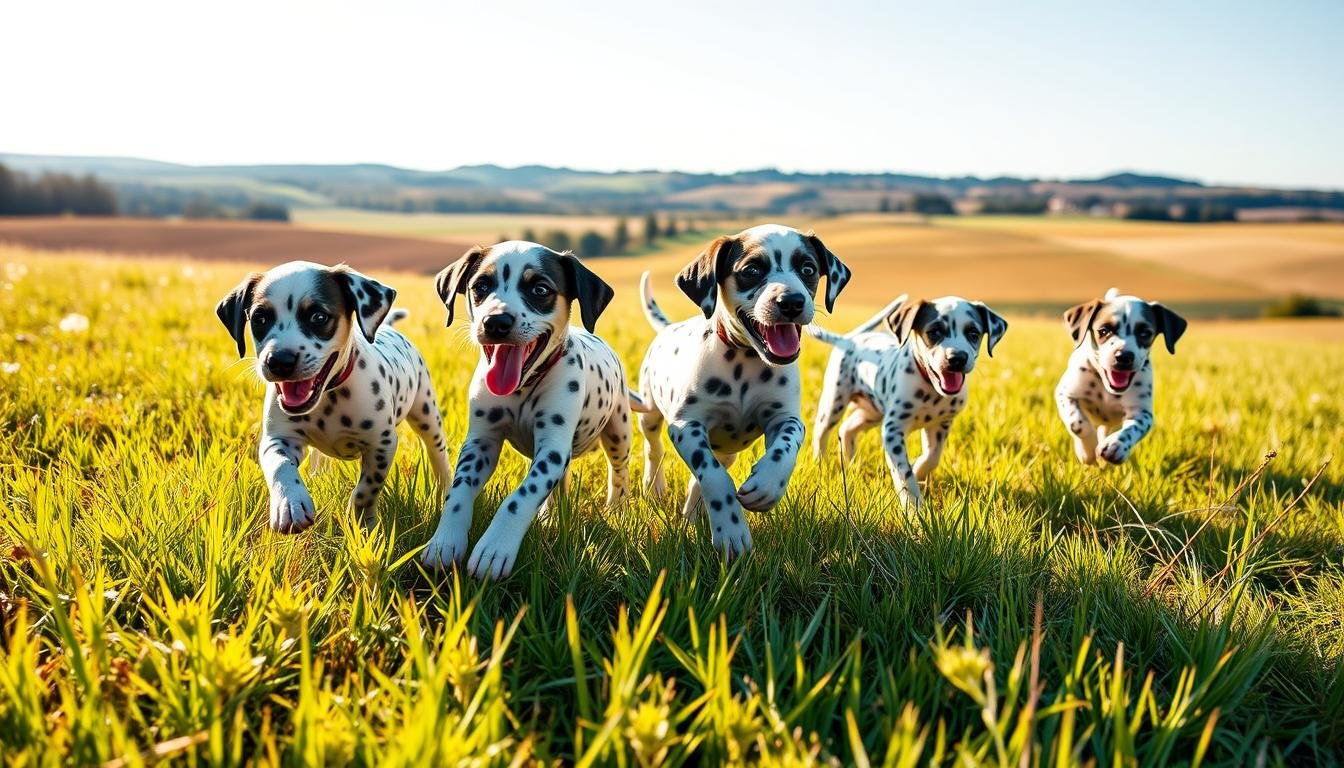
point(1105, 397)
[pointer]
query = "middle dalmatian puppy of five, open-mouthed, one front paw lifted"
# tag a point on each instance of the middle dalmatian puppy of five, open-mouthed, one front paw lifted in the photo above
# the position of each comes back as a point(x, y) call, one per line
point(729, 377)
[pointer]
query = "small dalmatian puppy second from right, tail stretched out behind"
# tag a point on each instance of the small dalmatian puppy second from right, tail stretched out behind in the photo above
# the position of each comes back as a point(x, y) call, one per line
point(912, 379)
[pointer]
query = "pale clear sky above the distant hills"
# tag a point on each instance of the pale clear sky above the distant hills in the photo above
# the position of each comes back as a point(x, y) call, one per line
point(1224, 92)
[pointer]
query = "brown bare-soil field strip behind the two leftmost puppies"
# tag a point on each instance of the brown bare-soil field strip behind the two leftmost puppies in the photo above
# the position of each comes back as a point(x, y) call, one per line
point(232, 241)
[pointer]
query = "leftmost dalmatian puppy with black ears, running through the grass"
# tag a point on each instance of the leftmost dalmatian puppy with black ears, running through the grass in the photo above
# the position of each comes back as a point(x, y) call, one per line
point(338, 380)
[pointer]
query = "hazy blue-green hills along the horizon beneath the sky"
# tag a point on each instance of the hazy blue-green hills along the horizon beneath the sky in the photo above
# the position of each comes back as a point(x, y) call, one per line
point(153, 188)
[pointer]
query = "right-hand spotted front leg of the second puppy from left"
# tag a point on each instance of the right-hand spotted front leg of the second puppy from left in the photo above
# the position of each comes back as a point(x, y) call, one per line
point(495, 555)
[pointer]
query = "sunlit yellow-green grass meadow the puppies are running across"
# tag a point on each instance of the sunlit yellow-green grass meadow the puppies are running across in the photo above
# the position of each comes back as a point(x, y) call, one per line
point(1182, 609)
